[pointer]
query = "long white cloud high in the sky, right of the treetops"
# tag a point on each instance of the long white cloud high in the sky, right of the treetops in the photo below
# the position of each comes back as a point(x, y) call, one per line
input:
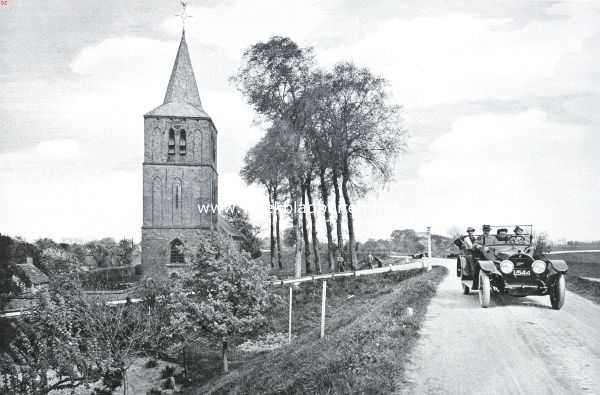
point(457, 57)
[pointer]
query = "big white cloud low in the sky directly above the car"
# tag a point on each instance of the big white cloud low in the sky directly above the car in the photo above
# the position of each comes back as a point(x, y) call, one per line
point(513, 167)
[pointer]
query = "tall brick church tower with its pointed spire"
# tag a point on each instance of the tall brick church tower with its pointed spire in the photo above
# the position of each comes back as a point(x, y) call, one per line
point(179, 170)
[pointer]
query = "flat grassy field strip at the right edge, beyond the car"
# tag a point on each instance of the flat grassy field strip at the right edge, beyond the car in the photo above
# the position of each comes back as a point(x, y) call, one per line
point(584, 264)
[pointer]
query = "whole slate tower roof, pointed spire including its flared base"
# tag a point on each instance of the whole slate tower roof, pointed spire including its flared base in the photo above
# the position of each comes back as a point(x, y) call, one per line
point(182, 98)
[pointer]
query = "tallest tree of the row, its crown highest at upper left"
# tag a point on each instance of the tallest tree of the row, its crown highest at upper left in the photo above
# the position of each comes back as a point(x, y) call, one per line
point(275, 80)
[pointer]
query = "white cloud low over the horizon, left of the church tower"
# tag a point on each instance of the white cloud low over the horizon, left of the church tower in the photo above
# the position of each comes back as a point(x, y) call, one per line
point(55, 190)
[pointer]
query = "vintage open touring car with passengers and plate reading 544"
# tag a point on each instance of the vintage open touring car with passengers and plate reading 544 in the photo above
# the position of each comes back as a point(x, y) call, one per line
point(499, 262)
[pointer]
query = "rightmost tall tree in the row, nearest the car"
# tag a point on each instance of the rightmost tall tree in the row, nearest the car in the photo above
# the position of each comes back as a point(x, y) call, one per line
point(365, 132)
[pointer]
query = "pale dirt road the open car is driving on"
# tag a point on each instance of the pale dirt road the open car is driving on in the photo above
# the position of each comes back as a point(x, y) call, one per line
point(516, 346)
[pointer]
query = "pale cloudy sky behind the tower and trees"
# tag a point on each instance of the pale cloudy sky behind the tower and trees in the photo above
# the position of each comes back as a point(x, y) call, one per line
point(500, 101)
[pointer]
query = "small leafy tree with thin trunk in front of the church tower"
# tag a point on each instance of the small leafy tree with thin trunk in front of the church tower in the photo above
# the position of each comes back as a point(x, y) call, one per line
point(227, 293)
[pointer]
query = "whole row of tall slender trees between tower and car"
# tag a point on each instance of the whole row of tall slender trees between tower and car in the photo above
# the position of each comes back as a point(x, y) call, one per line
point(327, 130)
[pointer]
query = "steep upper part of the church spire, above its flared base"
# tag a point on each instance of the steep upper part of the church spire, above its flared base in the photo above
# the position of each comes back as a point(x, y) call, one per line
point(182, 86)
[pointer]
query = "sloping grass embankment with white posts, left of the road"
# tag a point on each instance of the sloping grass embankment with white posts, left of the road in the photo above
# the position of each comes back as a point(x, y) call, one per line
point(368, 338)
